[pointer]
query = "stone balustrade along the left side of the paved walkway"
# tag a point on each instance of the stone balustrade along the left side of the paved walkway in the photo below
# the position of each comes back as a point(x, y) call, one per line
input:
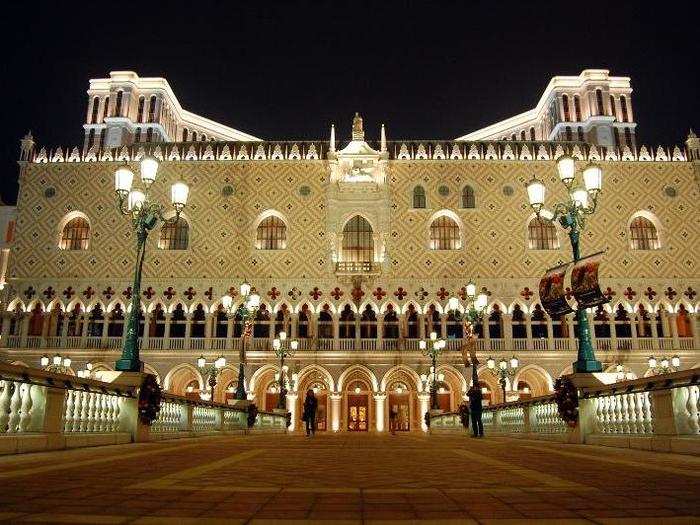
point(42, 410)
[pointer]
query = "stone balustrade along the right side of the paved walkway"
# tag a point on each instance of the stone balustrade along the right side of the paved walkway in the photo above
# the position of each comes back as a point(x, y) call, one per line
point(656, 413)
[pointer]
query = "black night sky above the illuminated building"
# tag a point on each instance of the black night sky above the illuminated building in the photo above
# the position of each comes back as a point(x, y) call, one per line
point(286, 70)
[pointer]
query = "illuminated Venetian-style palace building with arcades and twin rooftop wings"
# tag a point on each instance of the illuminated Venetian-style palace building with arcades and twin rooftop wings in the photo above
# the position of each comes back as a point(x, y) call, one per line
point(355, 247)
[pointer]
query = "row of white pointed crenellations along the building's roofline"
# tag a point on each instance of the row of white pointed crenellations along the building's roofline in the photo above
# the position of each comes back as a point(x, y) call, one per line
point(397, 150)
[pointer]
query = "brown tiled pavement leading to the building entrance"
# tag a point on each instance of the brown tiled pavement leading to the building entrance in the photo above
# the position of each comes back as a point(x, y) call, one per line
point(350, 477)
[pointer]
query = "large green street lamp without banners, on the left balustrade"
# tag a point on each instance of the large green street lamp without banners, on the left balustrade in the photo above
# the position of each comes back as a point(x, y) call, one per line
point(145, 214)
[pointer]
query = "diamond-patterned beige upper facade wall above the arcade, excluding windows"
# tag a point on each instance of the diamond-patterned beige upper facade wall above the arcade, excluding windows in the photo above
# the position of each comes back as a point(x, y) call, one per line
point(222, 230)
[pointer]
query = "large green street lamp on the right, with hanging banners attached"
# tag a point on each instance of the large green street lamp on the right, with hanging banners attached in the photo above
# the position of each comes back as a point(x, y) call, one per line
point(582, 201)
